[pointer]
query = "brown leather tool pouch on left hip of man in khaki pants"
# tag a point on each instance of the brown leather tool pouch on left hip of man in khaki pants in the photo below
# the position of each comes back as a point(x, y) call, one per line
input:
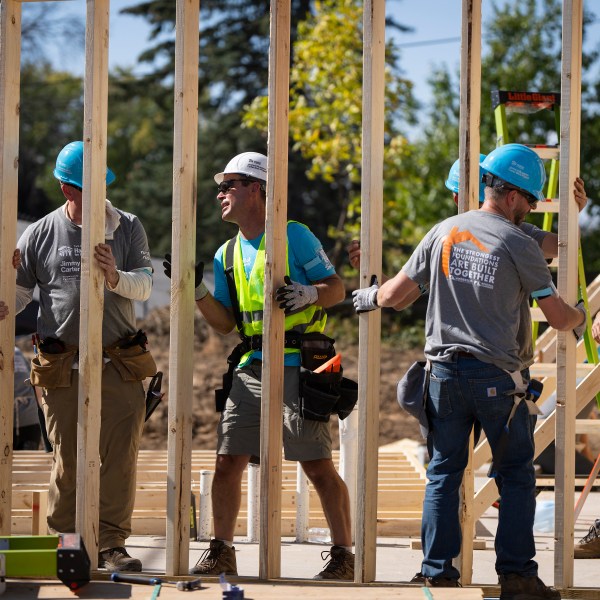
point(52, 366)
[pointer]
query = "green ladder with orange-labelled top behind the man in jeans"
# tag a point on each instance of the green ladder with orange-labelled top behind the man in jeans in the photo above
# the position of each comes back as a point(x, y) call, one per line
point(528, 103)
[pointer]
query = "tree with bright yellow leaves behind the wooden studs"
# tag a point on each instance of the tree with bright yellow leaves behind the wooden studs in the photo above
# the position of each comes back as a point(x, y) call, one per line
point(326, 114)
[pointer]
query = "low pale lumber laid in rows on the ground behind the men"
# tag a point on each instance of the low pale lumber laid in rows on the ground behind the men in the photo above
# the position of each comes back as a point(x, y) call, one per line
point(401, 487)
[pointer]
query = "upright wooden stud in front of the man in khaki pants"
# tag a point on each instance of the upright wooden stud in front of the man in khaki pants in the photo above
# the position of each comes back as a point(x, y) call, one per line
point(92, 278)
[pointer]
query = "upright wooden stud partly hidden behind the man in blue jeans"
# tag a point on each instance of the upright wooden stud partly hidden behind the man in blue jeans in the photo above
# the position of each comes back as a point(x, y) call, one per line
point(470, 108)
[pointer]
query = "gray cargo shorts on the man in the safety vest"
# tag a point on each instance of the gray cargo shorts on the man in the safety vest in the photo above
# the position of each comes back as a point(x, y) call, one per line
point(239, 427)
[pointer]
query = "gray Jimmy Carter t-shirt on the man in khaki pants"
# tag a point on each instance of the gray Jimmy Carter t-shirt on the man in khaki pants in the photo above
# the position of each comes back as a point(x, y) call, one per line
point(51, 259)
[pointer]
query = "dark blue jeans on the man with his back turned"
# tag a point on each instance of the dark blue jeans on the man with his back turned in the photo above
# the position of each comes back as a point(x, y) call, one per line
point(460, 393)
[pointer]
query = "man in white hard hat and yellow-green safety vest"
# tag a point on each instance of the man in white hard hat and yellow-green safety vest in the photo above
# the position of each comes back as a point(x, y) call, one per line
point(311, 286)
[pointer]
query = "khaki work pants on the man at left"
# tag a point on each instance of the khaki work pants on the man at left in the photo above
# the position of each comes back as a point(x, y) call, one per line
point(122, 422)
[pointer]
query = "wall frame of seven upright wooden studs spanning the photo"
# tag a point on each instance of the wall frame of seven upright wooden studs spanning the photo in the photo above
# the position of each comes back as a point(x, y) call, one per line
point(184, 203)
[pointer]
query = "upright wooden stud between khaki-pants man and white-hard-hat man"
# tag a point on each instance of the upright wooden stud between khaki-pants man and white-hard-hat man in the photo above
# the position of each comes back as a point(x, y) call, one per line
point(181, 357)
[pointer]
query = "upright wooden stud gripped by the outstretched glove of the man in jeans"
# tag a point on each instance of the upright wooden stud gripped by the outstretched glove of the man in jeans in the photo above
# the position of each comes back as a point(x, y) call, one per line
point(369, 328)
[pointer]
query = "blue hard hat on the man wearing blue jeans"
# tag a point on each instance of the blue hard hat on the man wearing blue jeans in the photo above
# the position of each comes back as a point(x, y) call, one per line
point(518, 166)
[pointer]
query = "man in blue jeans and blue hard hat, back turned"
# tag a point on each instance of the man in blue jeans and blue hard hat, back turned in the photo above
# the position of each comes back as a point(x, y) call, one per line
point(479, 266)
